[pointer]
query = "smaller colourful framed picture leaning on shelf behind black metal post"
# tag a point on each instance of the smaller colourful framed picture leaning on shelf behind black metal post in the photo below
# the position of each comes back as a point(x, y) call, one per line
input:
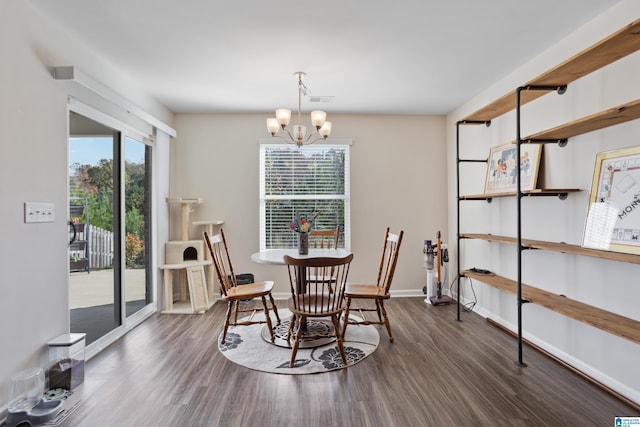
point(501, 168)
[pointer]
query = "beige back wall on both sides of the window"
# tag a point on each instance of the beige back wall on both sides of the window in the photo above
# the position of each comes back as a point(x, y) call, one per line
point(397, 173)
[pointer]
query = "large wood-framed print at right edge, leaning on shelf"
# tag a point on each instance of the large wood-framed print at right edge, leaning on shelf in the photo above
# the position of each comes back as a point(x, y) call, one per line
point(613, 215)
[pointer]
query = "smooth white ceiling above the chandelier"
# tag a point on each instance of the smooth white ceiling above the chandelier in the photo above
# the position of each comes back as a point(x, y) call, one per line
point(374, 57)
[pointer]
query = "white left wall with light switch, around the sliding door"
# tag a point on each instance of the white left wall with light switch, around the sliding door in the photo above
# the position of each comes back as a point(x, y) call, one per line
point(34, 305)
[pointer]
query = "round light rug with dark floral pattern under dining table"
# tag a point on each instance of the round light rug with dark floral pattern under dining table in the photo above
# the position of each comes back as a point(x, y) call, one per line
point(246, 347)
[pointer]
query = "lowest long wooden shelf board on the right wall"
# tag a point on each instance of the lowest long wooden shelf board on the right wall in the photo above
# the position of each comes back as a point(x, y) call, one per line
point(607, 321)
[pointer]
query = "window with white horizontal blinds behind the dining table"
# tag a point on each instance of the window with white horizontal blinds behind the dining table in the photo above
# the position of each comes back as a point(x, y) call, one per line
point(295, 181)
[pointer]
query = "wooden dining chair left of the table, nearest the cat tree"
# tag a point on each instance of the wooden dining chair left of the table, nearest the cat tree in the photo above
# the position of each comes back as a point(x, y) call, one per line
point(234, 294)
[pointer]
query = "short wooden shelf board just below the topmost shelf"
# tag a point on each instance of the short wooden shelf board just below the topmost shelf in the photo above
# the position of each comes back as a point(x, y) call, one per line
point(613, 116)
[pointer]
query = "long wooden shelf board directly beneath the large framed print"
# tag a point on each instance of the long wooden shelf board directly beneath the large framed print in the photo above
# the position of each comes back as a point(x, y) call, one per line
point(557, 247)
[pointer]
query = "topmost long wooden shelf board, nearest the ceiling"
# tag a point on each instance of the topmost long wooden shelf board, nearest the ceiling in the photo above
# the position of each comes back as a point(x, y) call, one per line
point(608, 50)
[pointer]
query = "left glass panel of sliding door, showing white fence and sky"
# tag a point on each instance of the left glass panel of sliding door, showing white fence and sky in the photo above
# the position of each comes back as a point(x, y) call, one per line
point(93, 283)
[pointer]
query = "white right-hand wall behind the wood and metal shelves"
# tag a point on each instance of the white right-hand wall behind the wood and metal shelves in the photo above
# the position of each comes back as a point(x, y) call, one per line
point(610, 285)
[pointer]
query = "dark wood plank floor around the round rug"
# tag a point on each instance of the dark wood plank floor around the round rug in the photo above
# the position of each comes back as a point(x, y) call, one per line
point(438, 372)
